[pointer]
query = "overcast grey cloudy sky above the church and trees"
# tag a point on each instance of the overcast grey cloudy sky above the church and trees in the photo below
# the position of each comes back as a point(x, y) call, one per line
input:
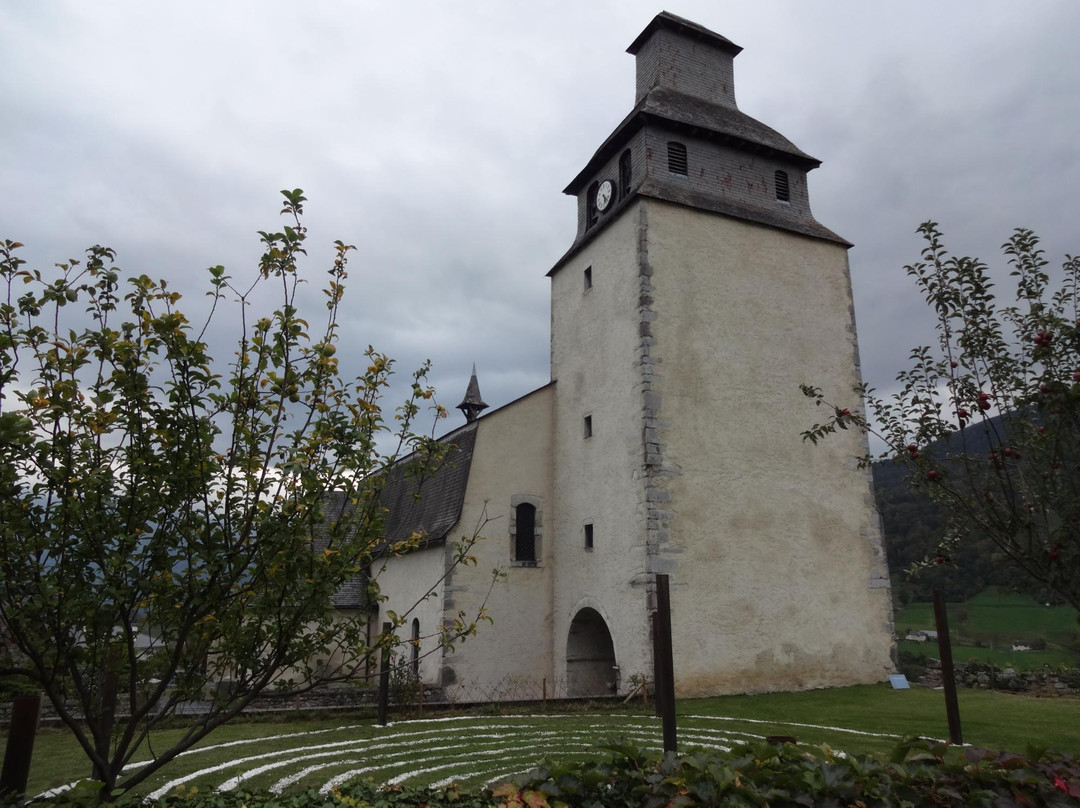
point(438, 138)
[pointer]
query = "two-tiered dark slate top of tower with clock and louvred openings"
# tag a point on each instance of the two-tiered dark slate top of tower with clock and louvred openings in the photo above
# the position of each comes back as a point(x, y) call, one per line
point(731, 163)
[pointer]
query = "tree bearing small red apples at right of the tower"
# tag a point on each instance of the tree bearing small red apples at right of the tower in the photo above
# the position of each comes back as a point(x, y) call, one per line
point(988, 420)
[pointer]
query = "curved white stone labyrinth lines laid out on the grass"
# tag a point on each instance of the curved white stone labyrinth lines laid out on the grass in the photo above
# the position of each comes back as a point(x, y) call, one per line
point(468, 750)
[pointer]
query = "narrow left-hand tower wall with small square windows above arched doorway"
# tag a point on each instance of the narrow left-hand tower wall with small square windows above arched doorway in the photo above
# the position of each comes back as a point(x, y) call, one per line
point(595, 362)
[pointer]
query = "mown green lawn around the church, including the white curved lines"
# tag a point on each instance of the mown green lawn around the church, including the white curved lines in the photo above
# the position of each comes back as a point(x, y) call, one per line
point(479, 746)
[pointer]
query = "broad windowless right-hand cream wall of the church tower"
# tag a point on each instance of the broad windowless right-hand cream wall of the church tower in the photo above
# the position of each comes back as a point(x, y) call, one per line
point(780, 580)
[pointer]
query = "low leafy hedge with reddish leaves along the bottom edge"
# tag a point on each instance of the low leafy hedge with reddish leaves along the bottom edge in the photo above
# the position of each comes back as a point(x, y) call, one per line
point(921, 773)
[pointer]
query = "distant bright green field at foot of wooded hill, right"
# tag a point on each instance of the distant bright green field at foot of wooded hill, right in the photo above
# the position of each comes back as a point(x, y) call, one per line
point(985, 628)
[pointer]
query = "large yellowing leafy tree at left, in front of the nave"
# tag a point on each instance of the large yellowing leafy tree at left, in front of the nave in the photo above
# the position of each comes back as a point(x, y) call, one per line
point(167, 534)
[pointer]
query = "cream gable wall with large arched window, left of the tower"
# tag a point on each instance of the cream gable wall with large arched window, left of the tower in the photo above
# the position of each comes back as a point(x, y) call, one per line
point(511, 463)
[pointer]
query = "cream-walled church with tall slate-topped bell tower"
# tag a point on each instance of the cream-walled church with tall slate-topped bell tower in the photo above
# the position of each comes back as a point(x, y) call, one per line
point(698, 293)
